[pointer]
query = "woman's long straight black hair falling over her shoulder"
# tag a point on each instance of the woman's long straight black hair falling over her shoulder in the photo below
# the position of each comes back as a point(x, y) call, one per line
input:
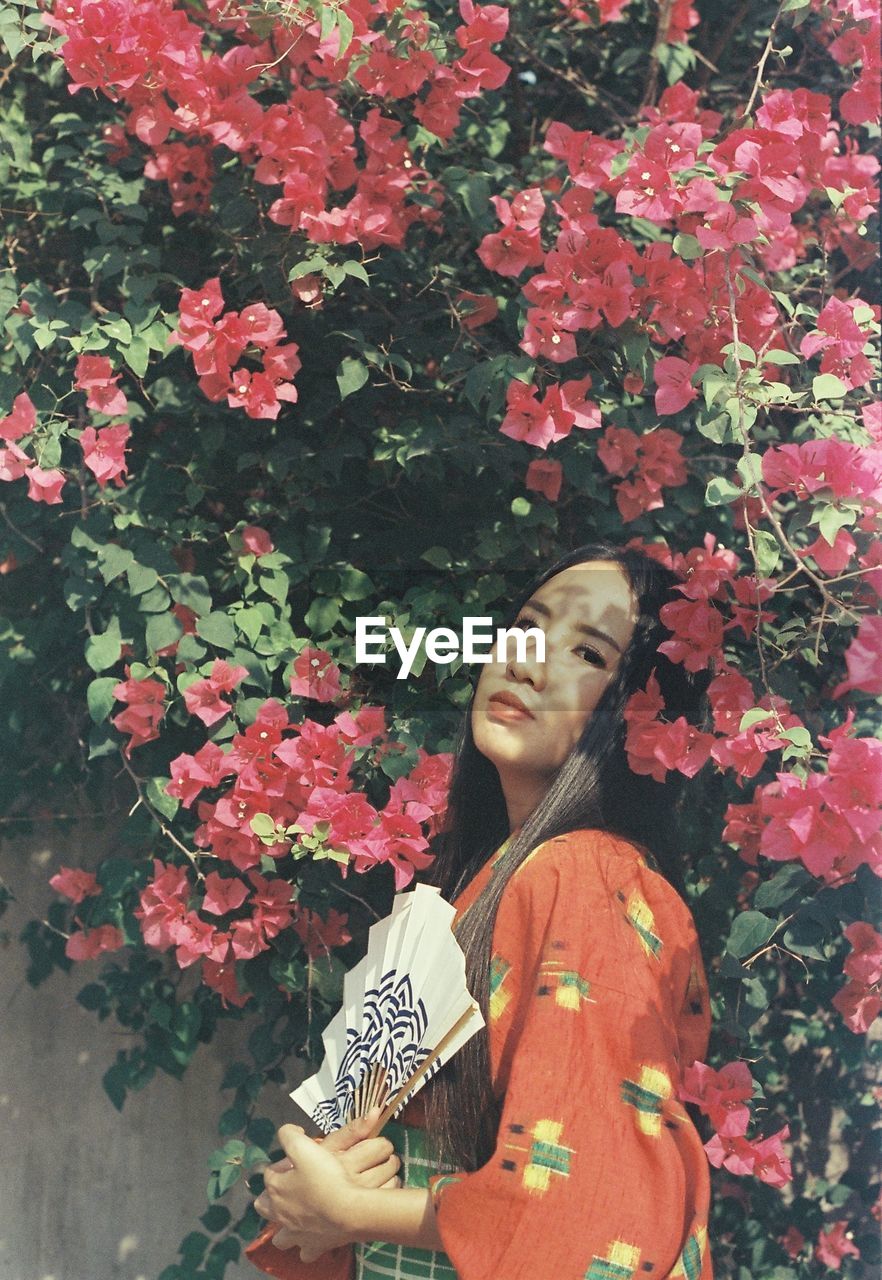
point(593, 788)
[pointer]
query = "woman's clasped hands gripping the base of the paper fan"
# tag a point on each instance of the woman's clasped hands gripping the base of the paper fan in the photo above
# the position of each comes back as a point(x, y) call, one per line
point(309, 1192)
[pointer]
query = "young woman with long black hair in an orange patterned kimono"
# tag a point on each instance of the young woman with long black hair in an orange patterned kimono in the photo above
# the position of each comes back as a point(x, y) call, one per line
point(554, 1145)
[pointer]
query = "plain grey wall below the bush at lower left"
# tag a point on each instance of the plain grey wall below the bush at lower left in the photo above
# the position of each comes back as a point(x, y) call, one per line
point(88, 1194)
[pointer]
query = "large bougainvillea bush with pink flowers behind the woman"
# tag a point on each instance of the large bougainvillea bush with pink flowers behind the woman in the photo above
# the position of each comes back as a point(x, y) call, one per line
point(316, 312)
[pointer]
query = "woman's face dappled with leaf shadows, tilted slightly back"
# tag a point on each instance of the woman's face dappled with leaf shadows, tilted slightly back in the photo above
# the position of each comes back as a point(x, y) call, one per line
point(528, 716)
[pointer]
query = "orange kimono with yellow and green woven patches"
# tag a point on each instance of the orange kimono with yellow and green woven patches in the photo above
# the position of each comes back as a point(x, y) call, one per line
point(598, 1003)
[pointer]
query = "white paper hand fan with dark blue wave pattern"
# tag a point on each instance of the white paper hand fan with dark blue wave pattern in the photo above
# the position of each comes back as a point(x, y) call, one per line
point(406, 1011)
